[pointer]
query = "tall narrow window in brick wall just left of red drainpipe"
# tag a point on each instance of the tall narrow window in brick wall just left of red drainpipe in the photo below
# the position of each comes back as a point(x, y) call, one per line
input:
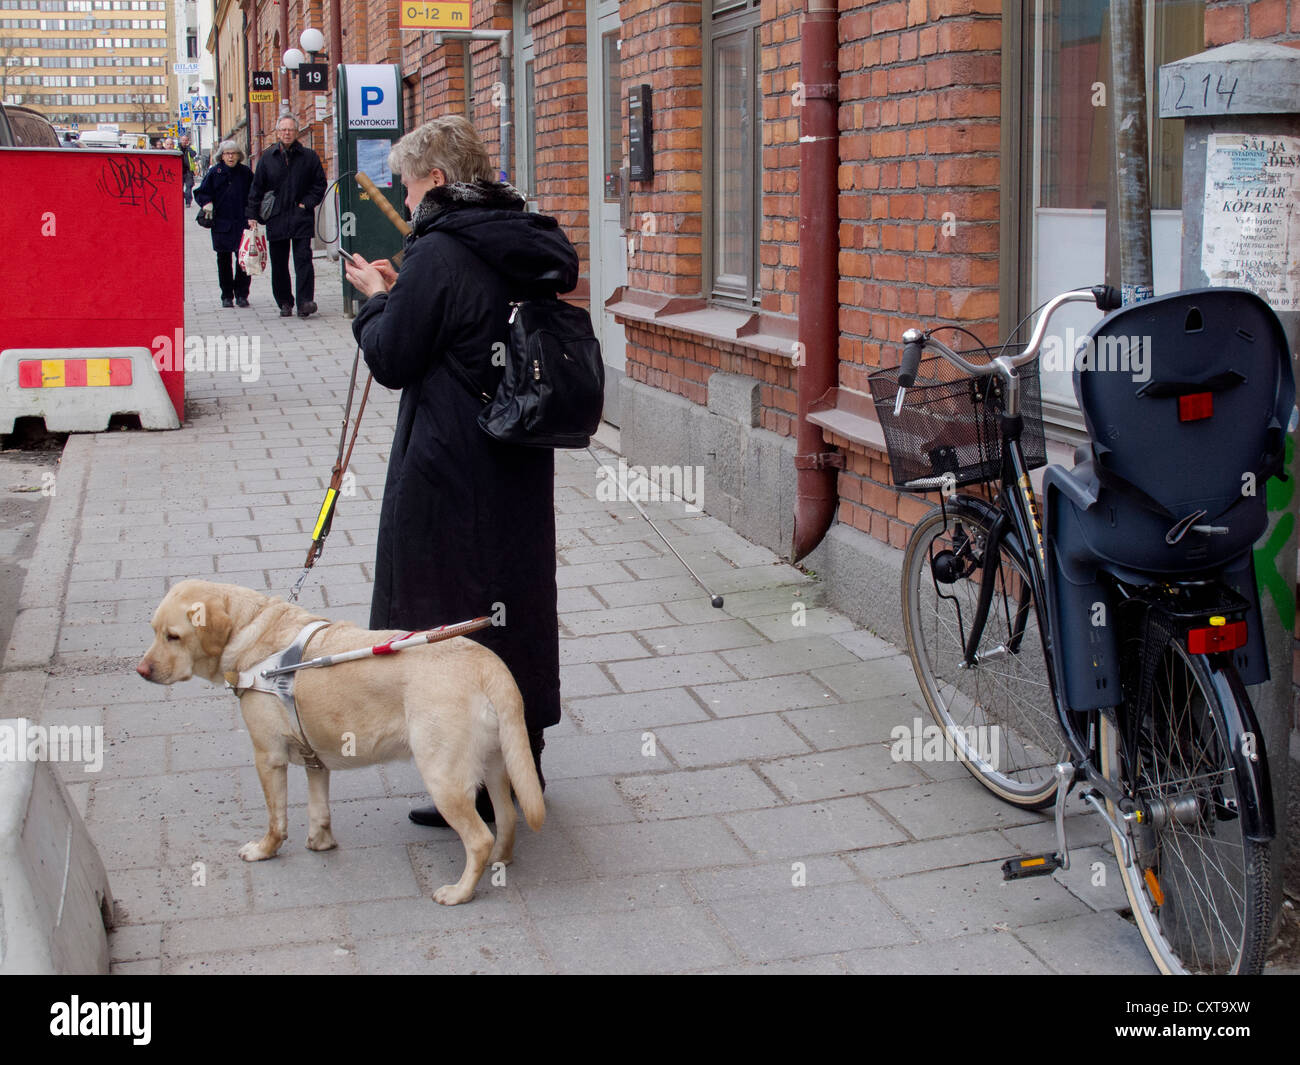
point(733, 159)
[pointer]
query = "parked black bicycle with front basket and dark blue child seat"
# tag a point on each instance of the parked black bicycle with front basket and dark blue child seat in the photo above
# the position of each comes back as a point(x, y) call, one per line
point(1107, 643)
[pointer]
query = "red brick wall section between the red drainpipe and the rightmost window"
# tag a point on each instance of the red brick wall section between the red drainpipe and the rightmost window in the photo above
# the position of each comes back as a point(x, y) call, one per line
point(920, 201)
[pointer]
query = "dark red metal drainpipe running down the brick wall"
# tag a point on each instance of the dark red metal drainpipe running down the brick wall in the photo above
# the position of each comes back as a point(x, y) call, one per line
point(820, 241)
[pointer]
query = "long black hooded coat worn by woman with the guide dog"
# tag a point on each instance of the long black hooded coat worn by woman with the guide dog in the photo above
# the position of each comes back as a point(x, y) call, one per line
point(469, 525)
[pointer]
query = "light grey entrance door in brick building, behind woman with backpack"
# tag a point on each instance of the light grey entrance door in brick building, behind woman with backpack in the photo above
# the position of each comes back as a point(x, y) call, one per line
point(608, 189)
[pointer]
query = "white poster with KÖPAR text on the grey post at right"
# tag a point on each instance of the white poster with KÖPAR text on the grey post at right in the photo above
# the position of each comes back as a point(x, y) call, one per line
point(1253, 217)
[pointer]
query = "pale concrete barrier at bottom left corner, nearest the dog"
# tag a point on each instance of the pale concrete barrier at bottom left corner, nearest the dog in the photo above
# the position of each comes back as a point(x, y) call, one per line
point(55, 901)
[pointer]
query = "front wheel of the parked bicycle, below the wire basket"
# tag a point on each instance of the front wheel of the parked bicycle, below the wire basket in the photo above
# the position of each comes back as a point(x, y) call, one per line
point(998, 716)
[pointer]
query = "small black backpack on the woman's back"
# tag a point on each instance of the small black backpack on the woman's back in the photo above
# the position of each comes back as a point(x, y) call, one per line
point(553, 388)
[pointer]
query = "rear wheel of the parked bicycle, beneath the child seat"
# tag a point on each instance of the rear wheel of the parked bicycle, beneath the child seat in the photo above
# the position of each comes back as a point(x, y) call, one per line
point(1199, 890)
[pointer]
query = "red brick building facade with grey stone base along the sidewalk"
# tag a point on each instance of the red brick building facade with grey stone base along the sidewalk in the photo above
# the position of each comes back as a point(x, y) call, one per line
point(938, 127)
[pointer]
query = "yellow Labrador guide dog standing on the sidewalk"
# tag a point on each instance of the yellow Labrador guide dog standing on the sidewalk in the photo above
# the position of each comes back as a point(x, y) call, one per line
point(452, 705)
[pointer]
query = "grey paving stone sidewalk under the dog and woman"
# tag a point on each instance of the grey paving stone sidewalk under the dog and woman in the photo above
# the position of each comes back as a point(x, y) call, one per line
point(721, 794)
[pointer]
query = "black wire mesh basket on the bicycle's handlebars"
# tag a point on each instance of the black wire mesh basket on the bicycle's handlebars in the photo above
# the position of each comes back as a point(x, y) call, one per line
point(950, 423)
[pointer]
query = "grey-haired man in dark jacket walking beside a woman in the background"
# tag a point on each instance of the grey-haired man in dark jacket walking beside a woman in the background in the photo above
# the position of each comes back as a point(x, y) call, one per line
point(294, 174)
